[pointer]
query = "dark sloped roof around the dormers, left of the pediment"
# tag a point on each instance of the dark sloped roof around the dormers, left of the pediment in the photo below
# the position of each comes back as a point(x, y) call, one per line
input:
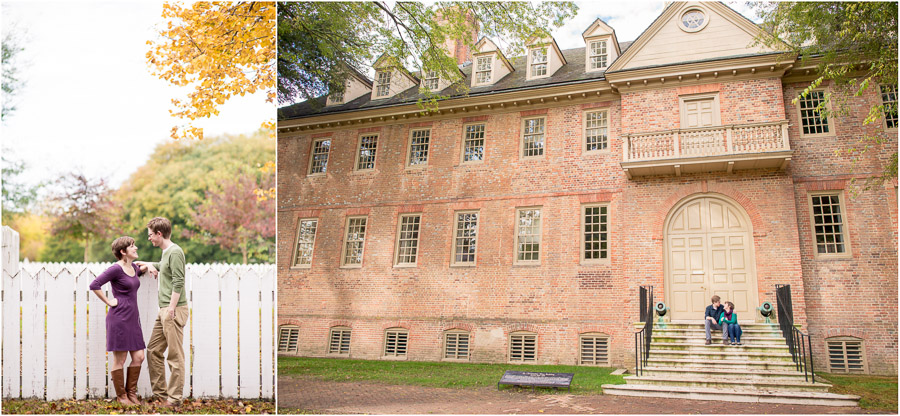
point(572, 71)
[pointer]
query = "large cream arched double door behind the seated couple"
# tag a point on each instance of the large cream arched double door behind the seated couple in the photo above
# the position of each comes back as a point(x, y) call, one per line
point(709, 251)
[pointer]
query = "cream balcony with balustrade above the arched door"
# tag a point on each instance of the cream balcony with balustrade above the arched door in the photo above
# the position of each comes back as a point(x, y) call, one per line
point(707, 149)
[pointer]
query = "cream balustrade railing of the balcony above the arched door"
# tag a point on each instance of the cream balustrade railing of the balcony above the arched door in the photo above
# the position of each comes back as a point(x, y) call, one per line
point(706, 141)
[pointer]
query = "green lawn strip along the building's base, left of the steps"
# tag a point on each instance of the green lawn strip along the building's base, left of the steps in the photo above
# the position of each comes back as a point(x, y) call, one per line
point(587, 380)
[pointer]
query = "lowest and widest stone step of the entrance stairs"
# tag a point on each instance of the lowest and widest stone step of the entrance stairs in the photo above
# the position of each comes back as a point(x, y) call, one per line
point(732, 395)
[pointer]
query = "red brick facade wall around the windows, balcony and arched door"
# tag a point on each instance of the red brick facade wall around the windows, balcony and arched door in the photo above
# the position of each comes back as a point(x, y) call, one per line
point(560, 298)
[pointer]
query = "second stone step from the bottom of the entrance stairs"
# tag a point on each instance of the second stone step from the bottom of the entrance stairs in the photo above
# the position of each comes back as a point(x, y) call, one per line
point(736, 383)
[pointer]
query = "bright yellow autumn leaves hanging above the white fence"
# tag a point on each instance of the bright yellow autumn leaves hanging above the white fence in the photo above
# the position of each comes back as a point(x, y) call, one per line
point(221, 49)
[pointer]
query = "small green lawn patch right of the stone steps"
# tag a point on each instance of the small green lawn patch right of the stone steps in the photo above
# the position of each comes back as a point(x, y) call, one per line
point(875, 392)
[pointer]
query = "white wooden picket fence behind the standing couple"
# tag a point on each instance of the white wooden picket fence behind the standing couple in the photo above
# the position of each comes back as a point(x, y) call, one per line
point(54, 330)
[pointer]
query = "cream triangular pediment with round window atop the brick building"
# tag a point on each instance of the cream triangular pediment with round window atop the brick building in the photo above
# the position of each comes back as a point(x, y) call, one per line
point(721, 33)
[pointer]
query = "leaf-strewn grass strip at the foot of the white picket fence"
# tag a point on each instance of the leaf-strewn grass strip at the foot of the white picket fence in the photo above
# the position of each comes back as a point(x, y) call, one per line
point(104, 406)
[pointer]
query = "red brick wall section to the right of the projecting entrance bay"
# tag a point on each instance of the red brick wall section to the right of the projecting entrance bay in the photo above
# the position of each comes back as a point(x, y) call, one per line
point(855, 296)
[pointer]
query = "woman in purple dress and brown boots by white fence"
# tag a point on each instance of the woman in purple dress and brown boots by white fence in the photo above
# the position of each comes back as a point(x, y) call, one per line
point(123, 324)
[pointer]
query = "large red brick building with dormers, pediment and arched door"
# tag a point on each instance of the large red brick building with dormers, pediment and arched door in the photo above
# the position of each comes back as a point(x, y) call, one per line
point(517, 223)
